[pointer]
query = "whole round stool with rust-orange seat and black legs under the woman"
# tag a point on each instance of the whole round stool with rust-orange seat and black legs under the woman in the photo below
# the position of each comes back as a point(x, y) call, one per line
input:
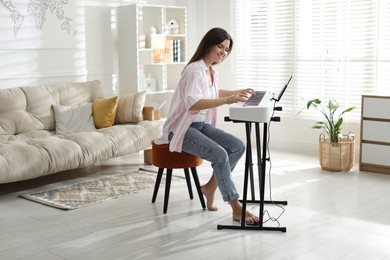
point(164, 159)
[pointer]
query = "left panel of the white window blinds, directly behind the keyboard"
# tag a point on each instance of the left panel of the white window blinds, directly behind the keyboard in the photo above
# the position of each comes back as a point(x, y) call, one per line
point(264, 41)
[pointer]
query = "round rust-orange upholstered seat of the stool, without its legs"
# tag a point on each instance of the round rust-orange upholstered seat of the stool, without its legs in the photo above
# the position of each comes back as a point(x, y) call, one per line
point(163, 158)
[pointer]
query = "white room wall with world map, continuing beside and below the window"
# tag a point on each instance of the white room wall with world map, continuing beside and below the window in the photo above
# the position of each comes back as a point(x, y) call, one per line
point(51, 55)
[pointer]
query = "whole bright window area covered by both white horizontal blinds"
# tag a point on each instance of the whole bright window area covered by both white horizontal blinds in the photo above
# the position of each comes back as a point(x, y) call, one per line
point(337, 49)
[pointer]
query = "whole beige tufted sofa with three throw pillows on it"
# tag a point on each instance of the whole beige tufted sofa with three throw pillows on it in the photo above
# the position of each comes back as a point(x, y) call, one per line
point(56, 127)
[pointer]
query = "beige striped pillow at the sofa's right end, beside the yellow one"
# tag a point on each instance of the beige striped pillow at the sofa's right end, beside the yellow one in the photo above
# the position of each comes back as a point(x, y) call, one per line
point(130, 108)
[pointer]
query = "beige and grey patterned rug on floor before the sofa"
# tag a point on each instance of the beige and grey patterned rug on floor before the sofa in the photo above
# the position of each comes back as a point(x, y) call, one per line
point(87, 193)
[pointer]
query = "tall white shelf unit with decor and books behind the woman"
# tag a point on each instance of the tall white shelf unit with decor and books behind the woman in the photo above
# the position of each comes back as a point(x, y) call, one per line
point(135, 57)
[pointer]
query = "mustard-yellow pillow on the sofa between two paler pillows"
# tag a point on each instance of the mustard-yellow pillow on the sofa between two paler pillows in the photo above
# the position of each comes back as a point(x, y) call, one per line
point(103, 111)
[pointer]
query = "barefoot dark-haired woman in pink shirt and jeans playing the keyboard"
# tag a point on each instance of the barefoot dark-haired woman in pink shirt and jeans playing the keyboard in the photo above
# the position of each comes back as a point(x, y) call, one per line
point(190, 125)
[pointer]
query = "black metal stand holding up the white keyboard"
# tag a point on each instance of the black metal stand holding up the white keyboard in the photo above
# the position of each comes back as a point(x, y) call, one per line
point(261, 162)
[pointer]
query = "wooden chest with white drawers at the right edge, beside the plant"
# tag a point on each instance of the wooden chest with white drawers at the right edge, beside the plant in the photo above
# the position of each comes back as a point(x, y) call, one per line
point(375, 138)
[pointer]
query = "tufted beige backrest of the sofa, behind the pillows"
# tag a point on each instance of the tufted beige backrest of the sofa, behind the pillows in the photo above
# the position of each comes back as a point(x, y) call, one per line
point(30, 108)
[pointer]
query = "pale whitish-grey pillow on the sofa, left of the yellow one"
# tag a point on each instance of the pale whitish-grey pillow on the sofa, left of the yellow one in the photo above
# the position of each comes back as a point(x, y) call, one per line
point(74, 119)
